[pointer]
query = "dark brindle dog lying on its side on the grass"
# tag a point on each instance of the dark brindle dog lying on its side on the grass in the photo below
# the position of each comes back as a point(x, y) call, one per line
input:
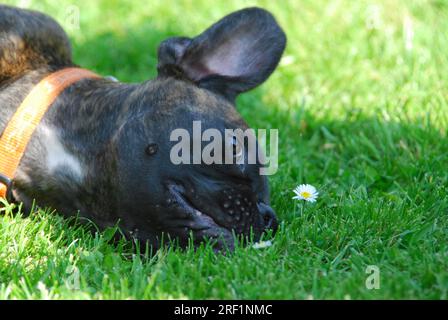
point(103, 147)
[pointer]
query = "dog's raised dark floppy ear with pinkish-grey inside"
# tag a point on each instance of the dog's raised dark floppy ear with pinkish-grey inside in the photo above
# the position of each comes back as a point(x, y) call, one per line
point(232, 56)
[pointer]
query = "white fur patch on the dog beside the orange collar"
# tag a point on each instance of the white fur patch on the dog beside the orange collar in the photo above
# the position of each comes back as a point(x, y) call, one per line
point(58, 156)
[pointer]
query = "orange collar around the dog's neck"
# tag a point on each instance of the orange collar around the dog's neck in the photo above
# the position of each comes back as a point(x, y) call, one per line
point(20, 128)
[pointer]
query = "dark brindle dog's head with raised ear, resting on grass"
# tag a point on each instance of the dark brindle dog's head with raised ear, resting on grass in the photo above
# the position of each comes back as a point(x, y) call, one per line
point(198, 80)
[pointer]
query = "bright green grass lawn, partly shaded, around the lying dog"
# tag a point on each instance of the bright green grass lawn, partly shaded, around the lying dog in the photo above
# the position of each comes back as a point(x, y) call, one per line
point(360, 100)
